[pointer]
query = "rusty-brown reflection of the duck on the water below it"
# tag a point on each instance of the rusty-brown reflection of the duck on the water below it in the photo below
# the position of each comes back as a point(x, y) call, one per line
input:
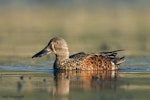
point(64, 80)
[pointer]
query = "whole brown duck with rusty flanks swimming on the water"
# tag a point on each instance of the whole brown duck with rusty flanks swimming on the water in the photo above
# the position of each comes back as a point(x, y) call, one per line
point(82, 60)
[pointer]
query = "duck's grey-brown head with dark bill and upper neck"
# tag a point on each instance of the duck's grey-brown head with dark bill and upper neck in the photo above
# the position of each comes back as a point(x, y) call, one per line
point(57, 46)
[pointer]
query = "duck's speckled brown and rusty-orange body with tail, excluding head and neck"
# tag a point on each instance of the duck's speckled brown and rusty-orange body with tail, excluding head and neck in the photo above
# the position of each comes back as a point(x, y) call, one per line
point(92, 61)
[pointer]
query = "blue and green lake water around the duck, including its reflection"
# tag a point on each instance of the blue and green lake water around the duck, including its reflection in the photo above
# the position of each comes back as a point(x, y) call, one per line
point(38, 81)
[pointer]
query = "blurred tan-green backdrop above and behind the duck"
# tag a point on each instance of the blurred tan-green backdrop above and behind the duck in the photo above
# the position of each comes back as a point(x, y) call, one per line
point(26, 26)
